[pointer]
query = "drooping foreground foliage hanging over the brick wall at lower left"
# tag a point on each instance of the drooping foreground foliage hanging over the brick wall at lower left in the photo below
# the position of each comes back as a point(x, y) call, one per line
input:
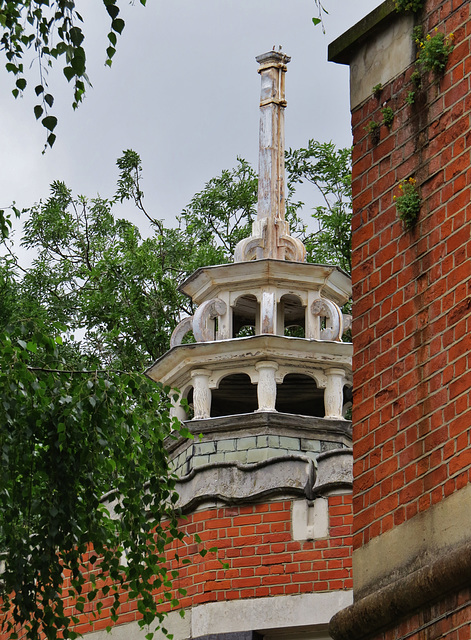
point(69, 438)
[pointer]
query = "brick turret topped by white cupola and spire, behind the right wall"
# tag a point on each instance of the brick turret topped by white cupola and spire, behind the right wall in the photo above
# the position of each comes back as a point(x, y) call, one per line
point(267, 480)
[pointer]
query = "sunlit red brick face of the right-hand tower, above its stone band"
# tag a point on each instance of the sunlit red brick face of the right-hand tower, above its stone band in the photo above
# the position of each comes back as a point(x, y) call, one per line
point(412, 292)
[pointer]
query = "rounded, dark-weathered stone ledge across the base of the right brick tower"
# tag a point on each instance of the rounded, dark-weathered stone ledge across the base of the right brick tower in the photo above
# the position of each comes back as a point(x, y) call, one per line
point(383, 608)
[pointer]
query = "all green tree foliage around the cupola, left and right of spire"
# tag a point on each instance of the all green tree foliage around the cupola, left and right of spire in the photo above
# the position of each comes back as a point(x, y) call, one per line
point(74, 429)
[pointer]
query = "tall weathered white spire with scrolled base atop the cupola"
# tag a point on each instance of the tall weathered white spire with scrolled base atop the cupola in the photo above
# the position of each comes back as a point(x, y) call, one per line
point(270, 232)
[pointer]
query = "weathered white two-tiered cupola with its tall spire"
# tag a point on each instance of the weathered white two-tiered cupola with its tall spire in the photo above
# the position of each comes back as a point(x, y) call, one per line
point(268, 362)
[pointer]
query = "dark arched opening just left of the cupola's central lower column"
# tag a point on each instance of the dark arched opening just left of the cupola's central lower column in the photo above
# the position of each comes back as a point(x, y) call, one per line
point(235, 394)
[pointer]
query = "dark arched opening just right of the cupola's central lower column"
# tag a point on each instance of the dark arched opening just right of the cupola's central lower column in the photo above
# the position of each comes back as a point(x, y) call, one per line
point(299, 394)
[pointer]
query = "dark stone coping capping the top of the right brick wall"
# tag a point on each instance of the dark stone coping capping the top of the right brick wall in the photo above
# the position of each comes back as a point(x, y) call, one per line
point(346, 45)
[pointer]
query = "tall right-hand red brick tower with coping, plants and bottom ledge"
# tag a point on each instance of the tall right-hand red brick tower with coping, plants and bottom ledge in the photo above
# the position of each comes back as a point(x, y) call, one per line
point(411, 102)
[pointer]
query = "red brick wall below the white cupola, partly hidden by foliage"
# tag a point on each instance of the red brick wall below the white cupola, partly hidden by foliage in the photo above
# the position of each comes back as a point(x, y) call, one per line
point(256, 542)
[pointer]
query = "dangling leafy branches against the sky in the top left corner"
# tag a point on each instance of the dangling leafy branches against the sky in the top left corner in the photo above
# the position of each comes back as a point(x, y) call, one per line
point(47, 33)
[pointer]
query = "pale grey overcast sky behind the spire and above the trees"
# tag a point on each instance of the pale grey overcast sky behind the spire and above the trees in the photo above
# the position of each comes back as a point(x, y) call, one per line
point(183, 92)
